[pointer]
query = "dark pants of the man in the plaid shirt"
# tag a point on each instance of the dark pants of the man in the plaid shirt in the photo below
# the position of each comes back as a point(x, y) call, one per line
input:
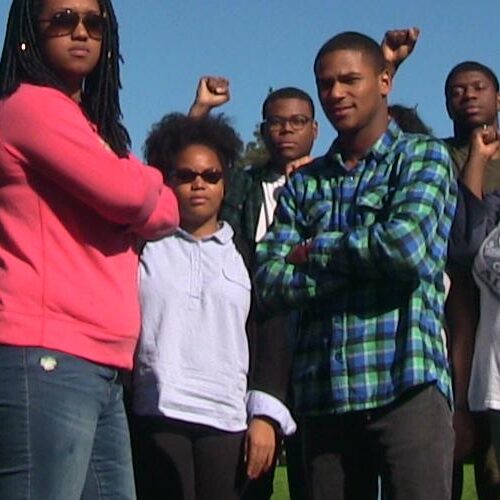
point(408, 443)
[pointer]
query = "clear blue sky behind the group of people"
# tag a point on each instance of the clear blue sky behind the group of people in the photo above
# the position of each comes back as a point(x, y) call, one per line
point(257, 44)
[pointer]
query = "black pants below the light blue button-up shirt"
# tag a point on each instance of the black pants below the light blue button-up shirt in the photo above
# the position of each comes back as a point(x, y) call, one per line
point(176, 460)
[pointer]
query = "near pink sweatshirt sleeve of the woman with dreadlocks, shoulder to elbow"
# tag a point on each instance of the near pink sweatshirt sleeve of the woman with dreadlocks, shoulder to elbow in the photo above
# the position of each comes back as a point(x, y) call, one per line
point(49, 134)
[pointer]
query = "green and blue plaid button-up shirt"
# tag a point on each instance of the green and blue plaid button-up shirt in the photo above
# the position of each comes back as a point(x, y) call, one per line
point(372, 291)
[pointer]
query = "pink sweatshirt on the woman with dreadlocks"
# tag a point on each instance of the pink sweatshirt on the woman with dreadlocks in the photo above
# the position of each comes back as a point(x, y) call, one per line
point(70, 214)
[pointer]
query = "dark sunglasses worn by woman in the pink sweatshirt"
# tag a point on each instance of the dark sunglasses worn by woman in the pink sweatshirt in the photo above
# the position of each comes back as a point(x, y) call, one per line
point(66, 21)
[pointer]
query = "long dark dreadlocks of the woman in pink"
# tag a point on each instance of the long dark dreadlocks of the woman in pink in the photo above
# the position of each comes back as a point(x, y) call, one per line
point(22, 61)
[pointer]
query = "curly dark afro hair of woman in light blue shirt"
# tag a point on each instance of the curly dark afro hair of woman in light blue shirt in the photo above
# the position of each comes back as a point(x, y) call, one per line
point(176, 131)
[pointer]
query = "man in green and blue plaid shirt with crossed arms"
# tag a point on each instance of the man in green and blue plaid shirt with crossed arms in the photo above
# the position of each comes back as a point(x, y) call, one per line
point(359, 244)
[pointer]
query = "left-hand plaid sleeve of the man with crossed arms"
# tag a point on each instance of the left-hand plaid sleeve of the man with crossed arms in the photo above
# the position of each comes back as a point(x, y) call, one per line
point(282, 285)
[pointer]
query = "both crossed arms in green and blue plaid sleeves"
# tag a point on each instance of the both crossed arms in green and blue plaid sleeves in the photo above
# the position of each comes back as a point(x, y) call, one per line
point(396, 248)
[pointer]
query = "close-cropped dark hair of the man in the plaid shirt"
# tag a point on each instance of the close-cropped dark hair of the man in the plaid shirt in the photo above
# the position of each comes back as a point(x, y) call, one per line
point(352, 40)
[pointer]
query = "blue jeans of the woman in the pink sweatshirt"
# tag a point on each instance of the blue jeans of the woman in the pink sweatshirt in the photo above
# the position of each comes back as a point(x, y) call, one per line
point(63, 429)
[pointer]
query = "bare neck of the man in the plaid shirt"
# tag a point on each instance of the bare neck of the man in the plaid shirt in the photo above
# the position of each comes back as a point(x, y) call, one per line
point(355, 145)
